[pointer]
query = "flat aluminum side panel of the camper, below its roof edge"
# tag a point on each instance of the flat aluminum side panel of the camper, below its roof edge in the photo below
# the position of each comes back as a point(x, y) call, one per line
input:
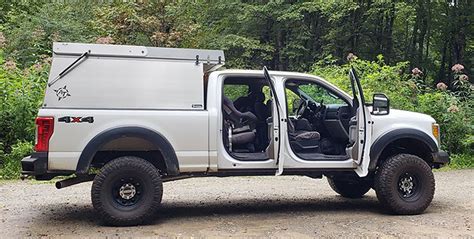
point(125, 83)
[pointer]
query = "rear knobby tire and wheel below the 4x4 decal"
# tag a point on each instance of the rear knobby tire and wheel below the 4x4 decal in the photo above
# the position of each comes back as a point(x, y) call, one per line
point(127, 191)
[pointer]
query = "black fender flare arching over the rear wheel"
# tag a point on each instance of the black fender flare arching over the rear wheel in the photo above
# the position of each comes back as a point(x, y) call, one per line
point(169, 155)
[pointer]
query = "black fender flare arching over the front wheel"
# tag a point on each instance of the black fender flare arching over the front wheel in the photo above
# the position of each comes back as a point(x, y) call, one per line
point(384, 140)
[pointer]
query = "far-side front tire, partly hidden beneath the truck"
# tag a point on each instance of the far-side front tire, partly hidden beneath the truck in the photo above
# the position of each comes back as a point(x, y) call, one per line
point(349, 189)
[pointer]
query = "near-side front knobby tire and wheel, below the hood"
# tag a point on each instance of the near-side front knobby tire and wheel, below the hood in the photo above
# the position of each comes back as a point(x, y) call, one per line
point(405, 184)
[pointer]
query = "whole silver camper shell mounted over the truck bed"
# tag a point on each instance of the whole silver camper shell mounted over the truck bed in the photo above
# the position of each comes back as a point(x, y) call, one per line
point(129, 77)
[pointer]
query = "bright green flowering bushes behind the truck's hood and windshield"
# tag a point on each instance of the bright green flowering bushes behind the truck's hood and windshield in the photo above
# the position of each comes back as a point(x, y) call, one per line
point(454, 113)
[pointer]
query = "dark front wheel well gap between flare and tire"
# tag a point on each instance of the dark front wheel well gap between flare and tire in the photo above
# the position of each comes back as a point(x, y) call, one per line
point(409, 146)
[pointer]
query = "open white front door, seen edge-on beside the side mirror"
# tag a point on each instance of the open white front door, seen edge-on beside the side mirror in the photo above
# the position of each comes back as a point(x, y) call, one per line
point(360, 149)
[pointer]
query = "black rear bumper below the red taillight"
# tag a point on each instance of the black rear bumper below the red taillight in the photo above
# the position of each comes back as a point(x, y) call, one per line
point(37, 165)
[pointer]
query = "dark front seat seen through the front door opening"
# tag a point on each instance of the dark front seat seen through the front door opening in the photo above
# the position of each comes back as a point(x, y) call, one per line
point(302, 137)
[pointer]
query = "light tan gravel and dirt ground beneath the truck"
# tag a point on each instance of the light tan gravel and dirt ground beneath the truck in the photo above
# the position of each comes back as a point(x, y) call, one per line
point(295, 207)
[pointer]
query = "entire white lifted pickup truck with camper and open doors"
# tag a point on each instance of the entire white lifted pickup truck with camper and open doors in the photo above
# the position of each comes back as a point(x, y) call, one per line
point(132, 117)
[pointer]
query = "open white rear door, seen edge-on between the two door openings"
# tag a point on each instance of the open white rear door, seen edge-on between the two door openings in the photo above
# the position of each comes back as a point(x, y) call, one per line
point(276, 122)
